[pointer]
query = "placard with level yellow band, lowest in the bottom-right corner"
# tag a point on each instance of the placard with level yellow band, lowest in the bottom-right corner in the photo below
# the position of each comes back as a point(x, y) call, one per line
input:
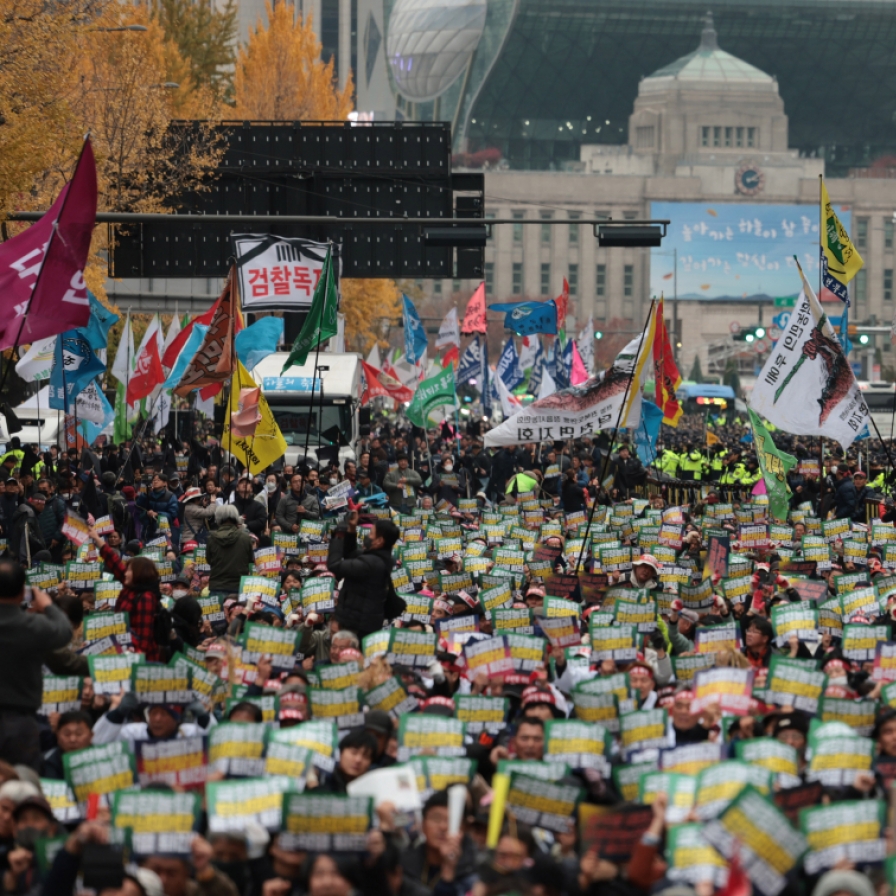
point(850, 831)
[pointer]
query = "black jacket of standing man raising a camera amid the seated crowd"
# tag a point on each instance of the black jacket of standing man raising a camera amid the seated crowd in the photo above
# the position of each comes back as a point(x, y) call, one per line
point(365, 576)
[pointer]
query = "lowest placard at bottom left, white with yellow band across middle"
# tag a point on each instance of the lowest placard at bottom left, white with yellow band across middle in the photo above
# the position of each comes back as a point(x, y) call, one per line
point(159, 822)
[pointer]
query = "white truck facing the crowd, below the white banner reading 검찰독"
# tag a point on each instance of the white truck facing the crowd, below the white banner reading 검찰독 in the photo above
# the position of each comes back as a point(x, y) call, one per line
point(302, 415)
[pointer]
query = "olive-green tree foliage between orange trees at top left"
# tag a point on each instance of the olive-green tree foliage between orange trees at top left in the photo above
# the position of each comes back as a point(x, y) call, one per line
point(205, 37)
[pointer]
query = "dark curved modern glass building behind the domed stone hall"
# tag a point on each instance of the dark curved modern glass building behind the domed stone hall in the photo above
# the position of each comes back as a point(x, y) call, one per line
point(547, 76)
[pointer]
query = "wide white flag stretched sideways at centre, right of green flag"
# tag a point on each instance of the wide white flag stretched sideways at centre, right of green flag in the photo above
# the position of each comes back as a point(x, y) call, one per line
point(578, 410)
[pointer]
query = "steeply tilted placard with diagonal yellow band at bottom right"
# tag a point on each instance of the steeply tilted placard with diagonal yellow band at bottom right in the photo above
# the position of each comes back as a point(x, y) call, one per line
point(762, 836)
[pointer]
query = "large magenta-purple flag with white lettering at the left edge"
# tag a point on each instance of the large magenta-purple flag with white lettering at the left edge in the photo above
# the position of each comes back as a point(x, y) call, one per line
point(42, 270)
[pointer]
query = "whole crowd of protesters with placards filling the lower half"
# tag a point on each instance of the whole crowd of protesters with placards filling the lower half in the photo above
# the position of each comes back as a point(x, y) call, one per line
point(691, 652)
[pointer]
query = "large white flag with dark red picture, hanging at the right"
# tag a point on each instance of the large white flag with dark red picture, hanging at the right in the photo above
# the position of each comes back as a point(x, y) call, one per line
point(807, 386)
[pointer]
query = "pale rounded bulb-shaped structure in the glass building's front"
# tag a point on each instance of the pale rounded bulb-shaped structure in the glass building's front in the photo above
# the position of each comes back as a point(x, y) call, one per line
point(430, 43)
